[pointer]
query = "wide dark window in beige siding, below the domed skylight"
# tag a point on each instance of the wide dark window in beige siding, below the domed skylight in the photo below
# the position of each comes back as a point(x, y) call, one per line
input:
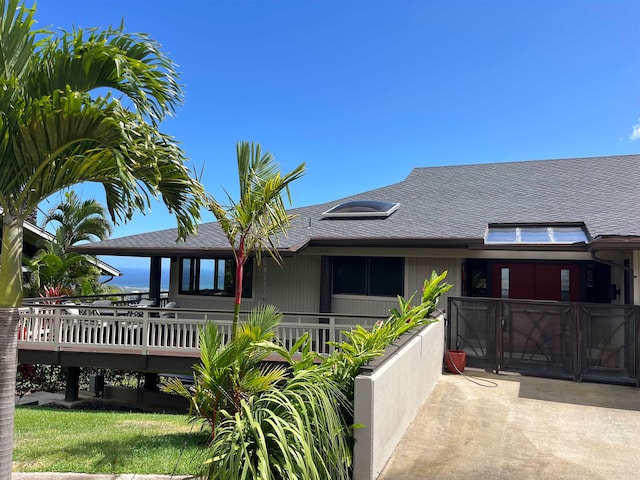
point(375, 276)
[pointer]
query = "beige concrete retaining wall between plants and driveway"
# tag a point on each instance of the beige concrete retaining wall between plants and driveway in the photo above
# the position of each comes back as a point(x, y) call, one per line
point(388, 397)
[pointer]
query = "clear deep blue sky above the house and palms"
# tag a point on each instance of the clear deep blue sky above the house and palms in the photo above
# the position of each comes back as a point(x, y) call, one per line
point(363, 91)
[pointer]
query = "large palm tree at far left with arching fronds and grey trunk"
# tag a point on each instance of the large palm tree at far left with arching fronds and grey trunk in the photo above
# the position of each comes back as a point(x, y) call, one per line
point(57, 130)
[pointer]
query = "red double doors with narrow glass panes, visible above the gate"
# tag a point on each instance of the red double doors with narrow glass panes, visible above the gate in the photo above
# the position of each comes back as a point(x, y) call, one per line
point(536, 281)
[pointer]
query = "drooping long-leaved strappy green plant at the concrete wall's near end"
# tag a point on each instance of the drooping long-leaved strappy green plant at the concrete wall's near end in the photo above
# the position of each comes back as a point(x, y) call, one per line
point(297, 432)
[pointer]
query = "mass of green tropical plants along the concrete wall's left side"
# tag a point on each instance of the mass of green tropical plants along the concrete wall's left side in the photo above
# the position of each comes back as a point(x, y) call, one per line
point(298, 423)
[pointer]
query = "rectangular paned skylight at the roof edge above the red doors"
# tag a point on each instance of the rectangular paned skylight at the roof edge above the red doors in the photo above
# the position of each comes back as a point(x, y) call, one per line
point(536, 234)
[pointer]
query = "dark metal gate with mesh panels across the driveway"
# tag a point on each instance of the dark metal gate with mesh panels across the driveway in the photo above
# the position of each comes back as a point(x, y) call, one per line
point(569, 340)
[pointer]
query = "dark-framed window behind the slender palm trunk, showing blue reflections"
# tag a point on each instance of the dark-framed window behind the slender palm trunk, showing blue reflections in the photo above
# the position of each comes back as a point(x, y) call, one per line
point(213, 276)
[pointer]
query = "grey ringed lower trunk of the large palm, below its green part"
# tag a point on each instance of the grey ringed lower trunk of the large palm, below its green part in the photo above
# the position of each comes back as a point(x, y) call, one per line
point(8, 365)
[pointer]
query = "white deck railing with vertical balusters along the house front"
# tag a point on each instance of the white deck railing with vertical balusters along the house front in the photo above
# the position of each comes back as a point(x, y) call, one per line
point(157, 331)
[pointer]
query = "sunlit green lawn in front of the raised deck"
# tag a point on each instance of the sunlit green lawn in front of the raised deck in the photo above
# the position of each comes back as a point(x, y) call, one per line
point(59, 440)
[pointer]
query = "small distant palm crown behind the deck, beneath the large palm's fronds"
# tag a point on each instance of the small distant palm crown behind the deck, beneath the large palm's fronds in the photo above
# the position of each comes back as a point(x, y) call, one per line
point(78, 221)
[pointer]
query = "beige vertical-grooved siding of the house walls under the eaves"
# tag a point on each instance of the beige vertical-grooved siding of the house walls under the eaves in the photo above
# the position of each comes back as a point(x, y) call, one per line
point(294, 286)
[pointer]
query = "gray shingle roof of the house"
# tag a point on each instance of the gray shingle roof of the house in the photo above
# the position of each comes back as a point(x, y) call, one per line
point(455, 202)
